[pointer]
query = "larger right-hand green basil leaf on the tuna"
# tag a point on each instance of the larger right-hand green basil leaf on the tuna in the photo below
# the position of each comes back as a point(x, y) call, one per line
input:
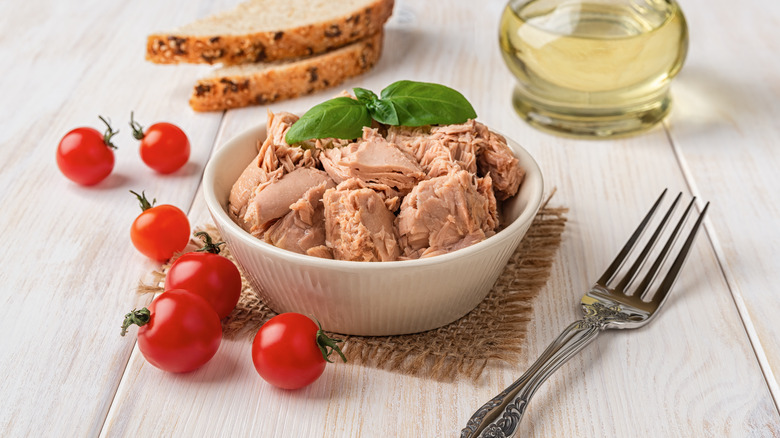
point(424, 103)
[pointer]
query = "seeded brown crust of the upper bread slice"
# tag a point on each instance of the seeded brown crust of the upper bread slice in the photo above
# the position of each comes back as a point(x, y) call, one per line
point(307, 40)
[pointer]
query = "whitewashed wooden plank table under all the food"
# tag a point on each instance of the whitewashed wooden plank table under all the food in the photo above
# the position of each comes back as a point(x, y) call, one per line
point(706, 367)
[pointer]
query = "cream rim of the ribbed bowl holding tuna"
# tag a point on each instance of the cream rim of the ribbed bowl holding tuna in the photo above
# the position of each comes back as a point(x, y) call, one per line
point(257, 132)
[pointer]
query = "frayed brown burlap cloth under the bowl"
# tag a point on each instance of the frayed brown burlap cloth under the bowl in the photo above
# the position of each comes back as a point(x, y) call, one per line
point(493, 332)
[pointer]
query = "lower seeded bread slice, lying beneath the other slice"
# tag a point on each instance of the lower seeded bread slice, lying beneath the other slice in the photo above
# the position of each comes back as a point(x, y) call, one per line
point(257, 84)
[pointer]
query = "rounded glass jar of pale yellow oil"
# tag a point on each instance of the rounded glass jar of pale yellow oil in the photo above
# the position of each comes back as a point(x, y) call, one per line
point(594, 68)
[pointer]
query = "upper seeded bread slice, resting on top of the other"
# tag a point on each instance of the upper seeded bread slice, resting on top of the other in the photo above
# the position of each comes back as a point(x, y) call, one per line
point(268, 30)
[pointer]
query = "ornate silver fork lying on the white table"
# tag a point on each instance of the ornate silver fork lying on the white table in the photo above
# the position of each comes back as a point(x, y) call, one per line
point(605, 306)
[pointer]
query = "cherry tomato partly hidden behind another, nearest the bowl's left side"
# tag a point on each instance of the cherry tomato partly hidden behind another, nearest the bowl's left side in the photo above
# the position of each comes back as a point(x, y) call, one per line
point(208, 274)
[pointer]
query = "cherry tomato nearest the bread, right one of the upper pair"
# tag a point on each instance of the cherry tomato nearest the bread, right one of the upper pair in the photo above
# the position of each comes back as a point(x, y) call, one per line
point(164, 146)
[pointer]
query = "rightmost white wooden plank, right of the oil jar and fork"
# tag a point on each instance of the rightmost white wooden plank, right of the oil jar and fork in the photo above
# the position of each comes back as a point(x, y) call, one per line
point(725, 131)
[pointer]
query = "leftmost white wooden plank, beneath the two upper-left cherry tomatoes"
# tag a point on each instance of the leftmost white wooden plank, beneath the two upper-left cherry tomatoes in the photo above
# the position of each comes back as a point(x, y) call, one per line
point(69, 269)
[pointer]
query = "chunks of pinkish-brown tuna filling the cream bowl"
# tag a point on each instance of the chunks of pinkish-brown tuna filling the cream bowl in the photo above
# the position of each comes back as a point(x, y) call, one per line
point(445, 183)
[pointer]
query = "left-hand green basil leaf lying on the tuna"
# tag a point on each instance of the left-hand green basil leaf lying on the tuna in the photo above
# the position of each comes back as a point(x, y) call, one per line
point(342, 117)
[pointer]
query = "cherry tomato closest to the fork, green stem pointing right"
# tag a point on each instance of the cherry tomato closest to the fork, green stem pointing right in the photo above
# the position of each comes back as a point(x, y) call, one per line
point(290, 351)
